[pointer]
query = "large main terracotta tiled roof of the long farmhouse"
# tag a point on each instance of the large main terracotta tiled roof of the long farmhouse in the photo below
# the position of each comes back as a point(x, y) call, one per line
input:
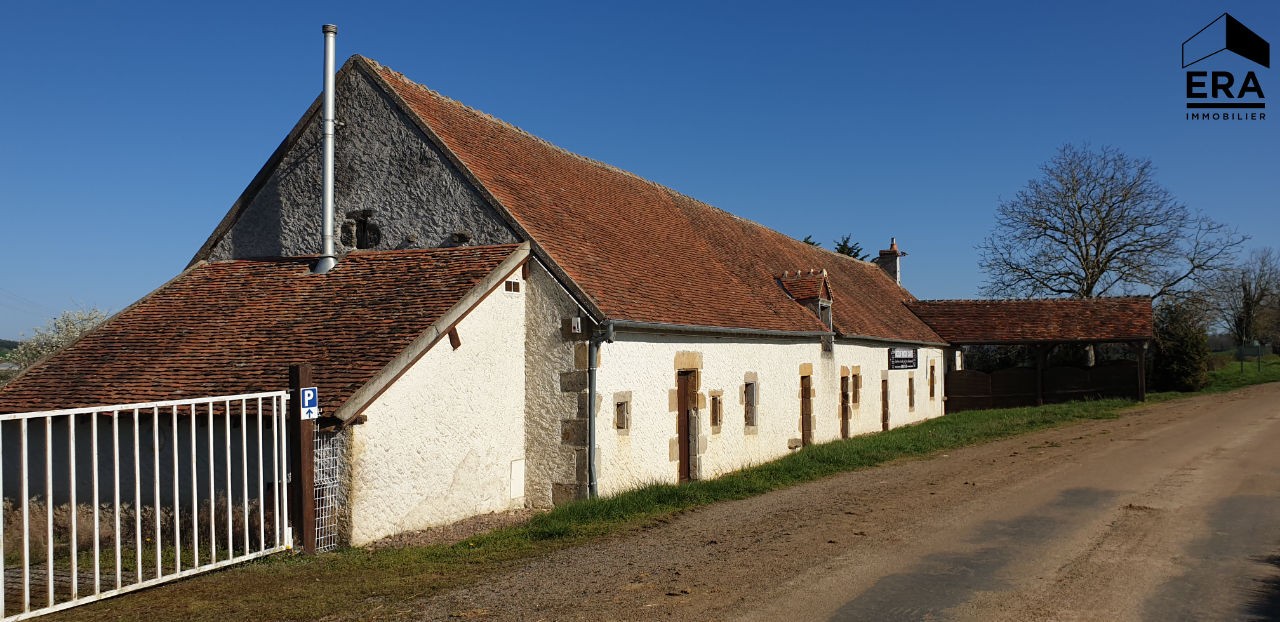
point(644, 253)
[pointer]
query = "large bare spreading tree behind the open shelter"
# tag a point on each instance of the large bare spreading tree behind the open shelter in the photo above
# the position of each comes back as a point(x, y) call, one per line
point(1098, 223)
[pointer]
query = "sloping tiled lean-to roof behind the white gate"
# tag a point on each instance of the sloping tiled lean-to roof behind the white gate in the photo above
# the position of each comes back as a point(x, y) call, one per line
point(235, 327)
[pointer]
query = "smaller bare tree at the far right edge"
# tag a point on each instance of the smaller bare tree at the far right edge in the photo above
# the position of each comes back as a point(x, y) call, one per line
point(1244, 295)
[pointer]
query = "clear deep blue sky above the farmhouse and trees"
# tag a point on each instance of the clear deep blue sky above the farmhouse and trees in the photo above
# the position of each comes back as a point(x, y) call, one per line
point(127, 130)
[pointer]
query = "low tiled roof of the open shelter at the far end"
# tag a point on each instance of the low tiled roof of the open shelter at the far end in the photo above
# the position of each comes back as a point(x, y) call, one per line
point(1039, 321)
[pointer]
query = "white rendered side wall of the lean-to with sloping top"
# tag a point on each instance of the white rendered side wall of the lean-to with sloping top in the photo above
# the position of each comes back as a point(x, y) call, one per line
point(447, 441)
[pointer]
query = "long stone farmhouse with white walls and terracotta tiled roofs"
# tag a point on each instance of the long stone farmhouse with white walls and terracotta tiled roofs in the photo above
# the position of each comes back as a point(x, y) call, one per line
point(511, 324)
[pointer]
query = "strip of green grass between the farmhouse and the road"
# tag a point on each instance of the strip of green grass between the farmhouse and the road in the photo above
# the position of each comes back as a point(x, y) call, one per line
point(383, 582)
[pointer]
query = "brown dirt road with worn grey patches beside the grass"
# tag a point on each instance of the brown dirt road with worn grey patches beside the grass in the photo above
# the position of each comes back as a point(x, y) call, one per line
point(1172, 513)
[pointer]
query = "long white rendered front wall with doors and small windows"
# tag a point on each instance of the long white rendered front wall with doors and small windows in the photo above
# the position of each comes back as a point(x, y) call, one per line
point(647, 367)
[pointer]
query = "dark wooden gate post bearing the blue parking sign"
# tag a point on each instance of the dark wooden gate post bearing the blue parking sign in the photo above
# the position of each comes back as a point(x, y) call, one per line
point(303, 504)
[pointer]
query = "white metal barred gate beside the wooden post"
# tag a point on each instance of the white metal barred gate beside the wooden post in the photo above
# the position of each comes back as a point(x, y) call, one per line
point(104, 501)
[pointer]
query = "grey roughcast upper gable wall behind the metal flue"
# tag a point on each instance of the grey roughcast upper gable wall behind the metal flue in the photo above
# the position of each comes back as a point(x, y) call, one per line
point(385, 164)
